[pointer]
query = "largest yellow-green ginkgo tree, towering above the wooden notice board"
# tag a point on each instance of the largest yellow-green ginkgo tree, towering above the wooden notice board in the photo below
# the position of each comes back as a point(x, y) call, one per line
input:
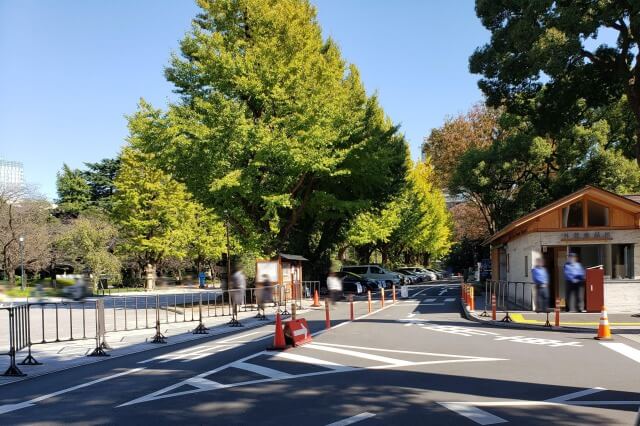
point(274, 127)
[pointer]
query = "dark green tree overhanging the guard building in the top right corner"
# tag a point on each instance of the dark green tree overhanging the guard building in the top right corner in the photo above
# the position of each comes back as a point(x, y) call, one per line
point(544, 47)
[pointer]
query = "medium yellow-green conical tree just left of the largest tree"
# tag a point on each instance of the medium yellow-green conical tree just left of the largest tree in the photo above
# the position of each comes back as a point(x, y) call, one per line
point(155, 214)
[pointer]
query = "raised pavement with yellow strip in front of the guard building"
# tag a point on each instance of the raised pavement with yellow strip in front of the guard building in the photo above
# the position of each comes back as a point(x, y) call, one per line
point(586, 321)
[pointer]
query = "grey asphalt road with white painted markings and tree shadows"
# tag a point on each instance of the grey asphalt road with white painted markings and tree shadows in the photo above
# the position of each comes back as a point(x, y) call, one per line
point(413, 362)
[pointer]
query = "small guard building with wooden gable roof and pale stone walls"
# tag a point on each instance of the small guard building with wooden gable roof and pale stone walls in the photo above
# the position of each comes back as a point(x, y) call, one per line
point(601, 227)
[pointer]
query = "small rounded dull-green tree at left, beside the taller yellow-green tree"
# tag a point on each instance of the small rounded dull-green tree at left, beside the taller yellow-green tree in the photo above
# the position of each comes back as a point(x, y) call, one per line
point(89, 242)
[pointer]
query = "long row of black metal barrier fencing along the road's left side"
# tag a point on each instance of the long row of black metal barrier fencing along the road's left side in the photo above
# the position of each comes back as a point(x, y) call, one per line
point(35, 323)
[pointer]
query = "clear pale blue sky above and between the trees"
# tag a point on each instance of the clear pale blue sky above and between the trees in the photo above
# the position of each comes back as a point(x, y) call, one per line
point(71, 70)
